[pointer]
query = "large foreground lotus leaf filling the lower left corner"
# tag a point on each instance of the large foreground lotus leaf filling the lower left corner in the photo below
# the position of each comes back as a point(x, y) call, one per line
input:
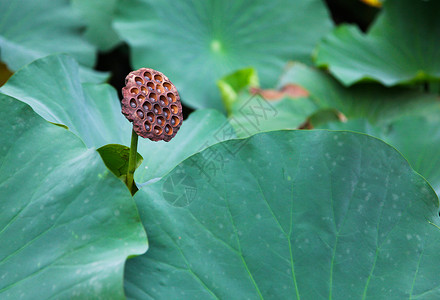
point(67, 224)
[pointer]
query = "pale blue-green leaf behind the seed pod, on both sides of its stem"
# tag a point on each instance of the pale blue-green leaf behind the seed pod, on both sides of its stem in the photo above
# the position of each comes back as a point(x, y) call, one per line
point(93, 112)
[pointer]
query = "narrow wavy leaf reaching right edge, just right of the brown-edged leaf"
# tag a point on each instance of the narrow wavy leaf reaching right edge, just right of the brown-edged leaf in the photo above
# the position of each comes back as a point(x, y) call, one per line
point(372, 101)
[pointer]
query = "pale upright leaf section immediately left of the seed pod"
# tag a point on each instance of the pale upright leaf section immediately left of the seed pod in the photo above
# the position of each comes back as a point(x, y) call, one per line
point(52, 87)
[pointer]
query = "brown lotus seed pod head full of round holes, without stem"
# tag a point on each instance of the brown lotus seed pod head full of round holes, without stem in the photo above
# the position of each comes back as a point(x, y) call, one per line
point(152, 103)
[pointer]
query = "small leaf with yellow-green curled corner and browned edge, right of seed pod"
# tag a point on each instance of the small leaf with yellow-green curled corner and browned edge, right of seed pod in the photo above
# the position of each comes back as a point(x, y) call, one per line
point(250, 110)
